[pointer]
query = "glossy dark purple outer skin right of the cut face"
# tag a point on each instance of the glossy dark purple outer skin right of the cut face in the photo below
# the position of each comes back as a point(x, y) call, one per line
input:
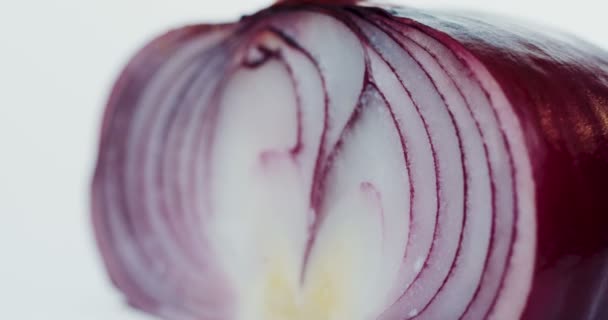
point(559, 88)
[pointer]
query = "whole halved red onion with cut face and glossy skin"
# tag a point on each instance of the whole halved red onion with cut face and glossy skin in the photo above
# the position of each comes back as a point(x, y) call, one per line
point(341, 162)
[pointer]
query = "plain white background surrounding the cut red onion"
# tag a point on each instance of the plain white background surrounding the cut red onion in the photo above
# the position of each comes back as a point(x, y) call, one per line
point(58, 59)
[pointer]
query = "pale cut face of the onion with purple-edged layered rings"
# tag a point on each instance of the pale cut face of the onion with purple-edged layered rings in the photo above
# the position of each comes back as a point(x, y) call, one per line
point(313, 165)
